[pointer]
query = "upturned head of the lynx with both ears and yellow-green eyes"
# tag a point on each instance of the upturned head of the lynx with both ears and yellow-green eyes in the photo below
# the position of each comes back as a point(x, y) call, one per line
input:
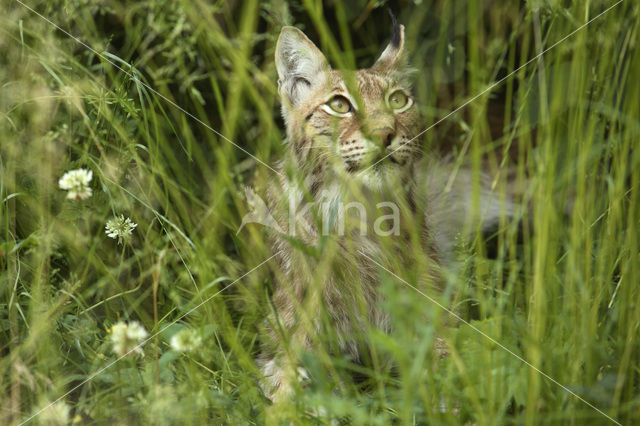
point(360, 124)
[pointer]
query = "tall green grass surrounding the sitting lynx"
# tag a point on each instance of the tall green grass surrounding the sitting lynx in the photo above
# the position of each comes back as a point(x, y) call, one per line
point(564, 297)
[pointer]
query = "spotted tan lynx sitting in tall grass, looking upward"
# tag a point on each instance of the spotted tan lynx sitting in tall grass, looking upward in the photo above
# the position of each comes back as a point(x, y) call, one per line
point(351, 138)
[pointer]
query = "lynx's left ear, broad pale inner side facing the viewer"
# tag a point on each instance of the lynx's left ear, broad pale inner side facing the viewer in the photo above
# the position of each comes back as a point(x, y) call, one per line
point(301, 65)
